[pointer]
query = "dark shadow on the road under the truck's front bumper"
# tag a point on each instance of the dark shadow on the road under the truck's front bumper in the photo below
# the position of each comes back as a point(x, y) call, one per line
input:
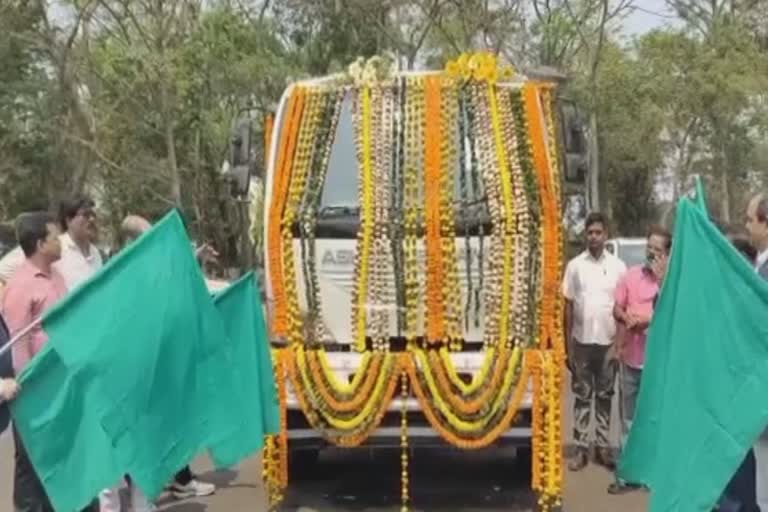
point(441, 480)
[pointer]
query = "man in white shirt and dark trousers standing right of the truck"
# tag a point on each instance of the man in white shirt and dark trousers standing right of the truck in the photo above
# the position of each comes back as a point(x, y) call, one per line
point(588, 287)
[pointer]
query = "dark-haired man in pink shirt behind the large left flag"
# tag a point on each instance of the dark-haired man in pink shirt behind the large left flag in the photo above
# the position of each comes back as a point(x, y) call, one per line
point(33, 289)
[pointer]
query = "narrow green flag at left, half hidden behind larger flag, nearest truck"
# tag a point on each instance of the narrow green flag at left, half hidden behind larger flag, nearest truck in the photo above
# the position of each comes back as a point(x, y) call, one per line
point(240, 309)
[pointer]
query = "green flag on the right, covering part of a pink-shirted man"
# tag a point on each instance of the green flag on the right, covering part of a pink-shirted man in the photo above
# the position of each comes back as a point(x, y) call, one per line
point(702, 397)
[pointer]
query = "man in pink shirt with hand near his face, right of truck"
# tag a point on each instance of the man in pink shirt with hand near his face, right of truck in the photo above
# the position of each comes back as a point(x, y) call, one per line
point(635, 300)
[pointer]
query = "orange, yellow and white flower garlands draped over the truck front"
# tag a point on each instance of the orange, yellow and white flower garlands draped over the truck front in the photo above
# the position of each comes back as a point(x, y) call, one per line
point(406, 131)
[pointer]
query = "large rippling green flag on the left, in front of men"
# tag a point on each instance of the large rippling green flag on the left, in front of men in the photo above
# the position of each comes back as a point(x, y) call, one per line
point(136, 377)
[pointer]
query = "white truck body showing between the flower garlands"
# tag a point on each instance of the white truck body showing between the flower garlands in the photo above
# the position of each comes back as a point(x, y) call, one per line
point(335, 242)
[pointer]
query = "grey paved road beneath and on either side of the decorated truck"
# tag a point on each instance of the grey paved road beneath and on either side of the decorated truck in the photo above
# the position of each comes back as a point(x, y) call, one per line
point(361, 481)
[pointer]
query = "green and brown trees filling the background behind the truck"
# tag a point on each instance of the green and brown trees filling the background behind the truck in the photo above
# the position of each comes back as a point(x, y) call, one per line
point(135, 101)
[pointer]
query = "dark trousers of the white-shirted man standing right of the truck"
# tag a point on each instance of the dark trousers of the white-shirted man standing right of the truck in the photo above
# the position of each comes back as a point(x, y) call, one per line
point(594, 375)
